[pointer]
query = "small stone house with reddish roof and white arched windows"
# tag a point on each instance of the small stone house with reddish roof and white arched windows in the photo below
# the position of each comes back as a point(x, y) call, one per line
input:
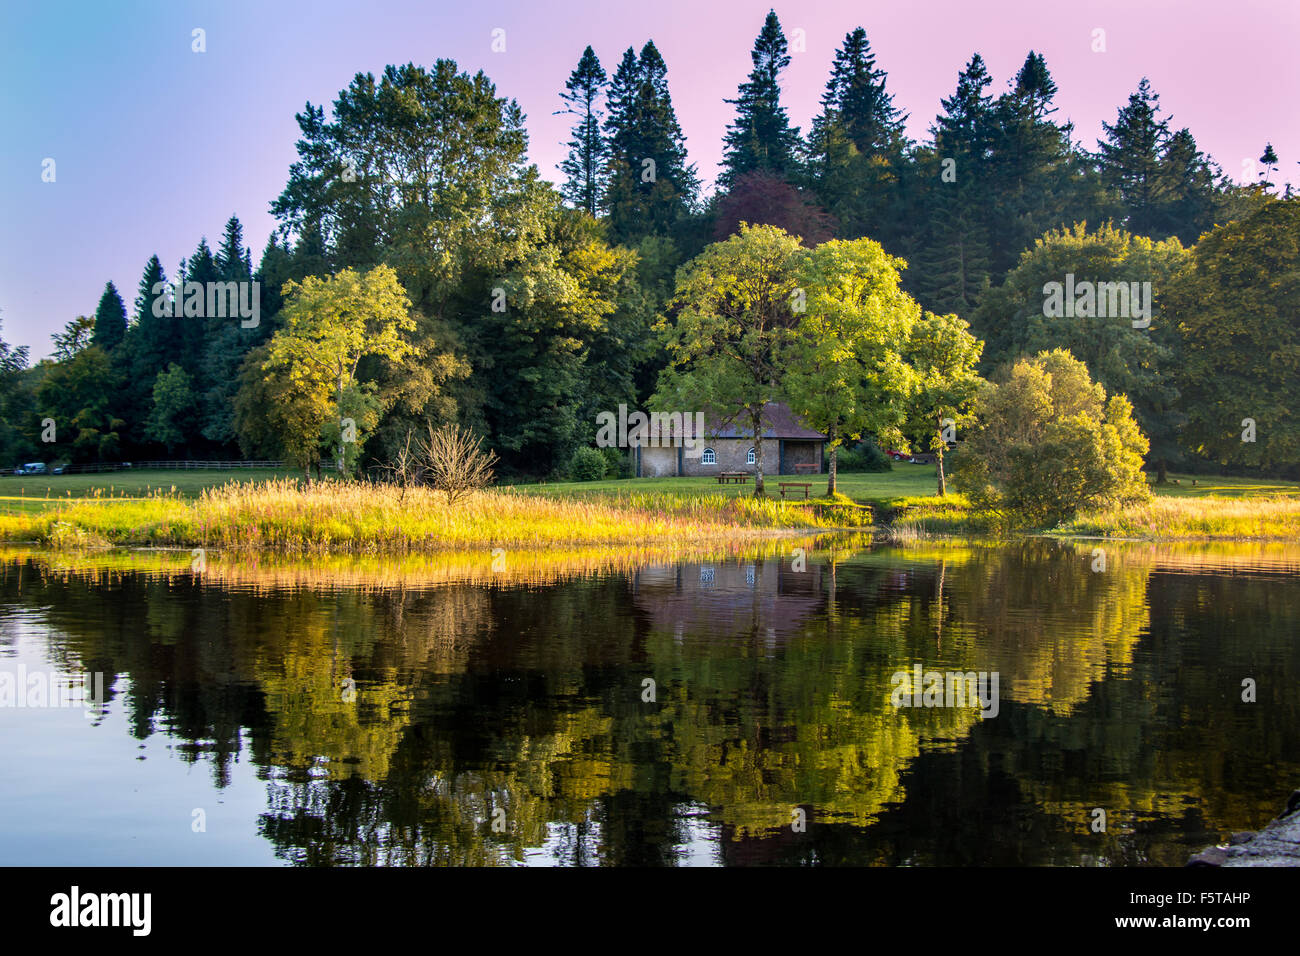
point(790, 448)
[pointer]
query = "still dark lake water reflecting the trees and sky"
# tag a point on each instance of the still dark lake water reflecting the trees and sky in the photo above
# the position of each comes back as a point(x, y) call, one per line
point(595, 710)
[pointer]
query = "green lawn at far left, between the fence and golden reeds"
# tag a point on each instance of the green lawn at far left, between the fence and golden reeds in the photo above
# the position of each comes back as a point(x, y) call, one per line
point(29, 494)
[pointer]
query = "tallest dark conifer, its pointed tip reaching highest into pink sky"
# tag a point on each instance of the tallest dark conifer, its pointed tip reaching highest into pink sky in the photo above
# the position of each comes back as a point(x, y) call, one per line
point(761, 139)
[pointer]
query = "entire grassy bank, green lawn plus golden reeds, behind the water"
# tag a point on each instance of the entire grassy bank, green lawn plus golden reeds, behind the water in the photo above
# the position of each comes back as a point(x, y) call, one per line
point(163, 508)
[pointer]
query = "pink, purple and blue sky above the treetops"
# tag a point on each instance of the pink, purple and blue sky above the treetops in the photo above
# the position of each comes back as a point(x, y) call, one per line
point(157, 146)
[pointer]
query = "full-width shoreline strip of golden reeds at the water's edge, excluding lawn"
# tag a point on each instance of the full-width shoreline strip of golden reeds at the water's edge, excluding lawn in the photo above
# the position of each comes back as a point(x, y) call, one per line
point(330, 518)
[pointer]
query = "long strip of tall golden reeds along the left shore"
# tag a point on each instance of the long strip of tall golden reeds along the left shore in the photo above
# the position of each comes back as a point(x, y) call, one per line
point(372, 518)
